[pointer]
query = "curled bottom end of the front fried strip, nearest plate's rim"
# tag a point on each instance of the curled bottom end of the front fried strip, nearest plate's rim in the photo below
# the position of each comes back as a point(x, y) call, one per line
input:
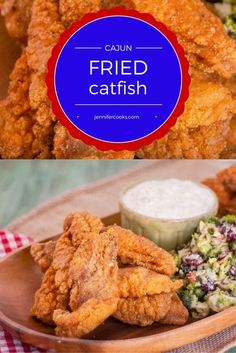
point(90, 315)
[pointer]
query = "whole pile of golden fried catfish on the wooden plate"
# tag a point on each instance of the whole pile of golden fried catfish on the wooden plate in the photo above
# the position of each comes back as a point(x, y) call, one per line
point(92, 272)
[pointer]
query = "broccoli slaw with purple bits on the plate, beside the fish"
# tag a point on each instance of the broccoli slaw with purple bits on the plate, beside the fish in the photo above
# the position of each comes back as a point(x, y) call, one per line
point(207, 264)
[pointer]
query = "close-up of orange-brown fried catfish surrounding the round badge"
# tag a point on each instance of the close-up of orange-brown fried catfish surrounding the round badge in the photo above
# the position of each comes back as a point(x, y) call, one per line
point(206, 129)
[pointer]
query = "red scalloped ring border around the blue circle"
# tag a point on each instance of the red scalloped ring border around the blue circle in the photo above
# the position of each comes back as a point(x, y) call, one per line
point(102, 145)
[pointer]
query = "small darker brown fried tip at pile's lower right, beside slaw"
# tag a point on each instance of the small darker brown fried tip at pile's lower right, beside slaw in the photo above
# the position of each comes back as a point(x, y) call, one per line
point(177, 315)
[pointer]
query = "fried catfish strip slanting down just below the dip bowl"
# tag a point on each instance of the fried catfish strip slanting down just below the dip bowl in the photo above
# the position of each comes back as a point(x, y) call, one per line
point(137, 250)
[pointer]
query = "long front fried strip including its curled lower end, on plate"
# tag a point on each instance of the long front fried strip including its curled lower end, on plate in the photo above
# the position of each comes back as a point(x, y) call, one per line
point(94, 292)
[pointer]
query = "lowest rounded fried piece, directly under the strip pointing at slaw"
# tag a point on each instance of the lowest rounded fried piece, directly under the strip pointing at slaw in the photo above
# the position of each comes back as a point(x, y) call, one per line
point(145, 310)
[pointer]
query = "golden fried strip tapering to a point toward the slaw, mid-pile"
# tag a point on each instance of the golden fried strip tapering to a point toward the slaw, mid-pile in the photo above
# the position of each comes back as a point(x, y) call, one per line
point(138, 281)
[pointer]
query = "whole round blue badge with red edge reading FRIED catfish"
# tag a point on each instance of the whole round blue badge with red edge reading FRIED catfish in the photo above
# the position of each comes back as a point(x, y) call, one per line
point(118, 80)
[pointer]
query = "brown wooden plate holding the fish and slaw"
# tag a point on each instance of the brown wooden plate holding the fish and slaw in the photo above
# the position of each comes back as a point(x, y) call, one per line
point(19, 279)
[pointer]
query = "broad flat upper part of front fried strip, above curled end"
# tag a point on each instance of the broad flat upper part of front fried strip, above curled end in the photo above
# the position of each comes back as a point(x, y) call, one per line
point(93, 270)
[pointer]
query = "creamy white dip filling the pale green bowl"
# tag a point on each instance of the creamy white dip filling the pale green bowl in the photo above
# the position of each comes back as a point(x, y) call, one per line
point(169, 199)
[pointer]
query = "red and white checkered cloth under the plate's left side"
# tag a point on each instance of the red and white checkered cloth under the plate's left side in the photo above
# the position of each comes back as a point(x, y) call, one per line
point(9, 242)
